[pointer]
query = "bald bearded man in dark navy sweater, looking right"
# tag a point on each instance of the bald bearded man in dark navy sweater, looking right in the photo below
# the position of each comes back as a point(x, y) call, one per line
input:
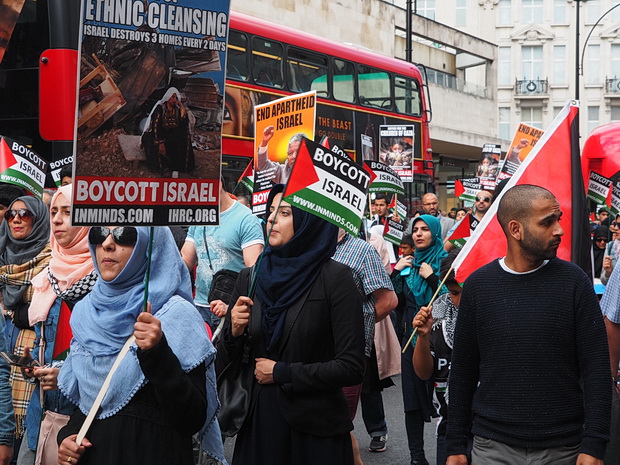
point(530, 367)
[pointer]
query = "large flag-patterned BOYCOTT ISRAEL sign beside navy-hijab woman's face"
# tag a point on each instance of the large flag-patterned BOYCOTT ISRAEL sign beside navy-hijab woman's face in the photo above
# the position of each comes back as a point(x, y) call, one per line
point(329, 185)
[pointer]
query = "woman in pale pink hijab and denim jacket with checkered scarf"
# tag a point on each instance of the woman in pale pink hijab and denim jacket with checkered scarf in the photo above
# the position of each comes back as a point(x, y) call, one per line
point(68, 278)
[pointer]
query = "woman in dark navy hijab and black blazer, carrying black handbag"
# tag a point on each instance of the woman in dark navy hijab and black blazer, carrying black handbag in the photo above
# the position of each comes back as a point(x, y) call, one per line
point(307, 341)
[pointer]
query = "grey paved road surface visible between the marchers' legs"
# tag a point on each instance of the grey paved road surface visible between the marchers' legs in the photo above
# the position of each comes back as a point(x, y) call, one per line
point(397, 452)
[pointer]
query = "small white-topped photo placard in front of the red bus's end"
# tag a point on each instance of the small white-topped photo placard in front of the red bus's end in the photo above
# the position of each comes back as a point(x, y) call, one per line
point(396, 149)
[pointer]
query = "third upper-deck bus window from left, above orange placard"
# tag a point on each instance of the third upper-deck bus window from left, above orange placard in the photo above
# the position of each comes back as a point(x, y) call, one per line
point(307, 71)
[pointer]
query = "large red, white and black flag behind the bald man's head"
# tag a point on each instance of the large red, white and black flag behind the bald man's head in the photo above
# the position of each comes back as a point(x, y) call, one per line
point(554, 164)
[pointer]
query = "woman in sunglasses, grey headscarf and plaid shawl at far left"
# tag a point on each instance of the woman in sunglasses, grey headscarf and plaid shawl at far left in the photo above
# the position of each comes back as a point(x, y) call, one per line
point(24, 253)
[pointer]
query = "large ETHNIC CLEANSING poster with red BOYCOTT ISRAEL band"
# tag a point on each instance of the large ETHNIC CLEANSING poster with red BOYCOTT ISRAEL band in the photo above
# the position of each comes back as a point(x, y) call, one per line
point(150, 104)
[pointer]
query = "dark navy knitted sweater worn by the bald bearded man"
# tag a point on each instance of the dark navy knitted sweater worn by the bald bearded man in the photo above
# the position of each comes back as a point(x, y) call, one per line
point(530, 341)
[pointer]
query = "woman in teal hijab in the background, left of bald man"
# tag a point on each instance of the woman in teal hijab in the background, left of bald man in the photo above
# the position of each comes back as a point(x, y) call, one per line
point(418, 288)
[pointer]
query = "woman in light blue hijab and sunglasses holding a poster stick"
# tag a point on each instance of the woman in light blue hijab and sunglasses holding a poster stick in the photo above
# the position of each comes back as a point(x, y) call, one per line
point(163, 391)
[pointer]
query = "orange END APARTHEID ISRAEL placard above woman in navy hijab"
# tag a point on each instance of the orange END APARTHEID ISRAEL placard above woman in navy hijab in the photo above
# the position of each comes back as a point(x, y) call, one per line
point(280, 126)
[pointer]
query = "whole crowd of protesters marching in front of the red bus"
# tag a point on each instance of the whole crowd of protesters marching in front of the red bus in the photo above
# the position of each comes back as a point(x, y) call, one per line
point(514, 366)
